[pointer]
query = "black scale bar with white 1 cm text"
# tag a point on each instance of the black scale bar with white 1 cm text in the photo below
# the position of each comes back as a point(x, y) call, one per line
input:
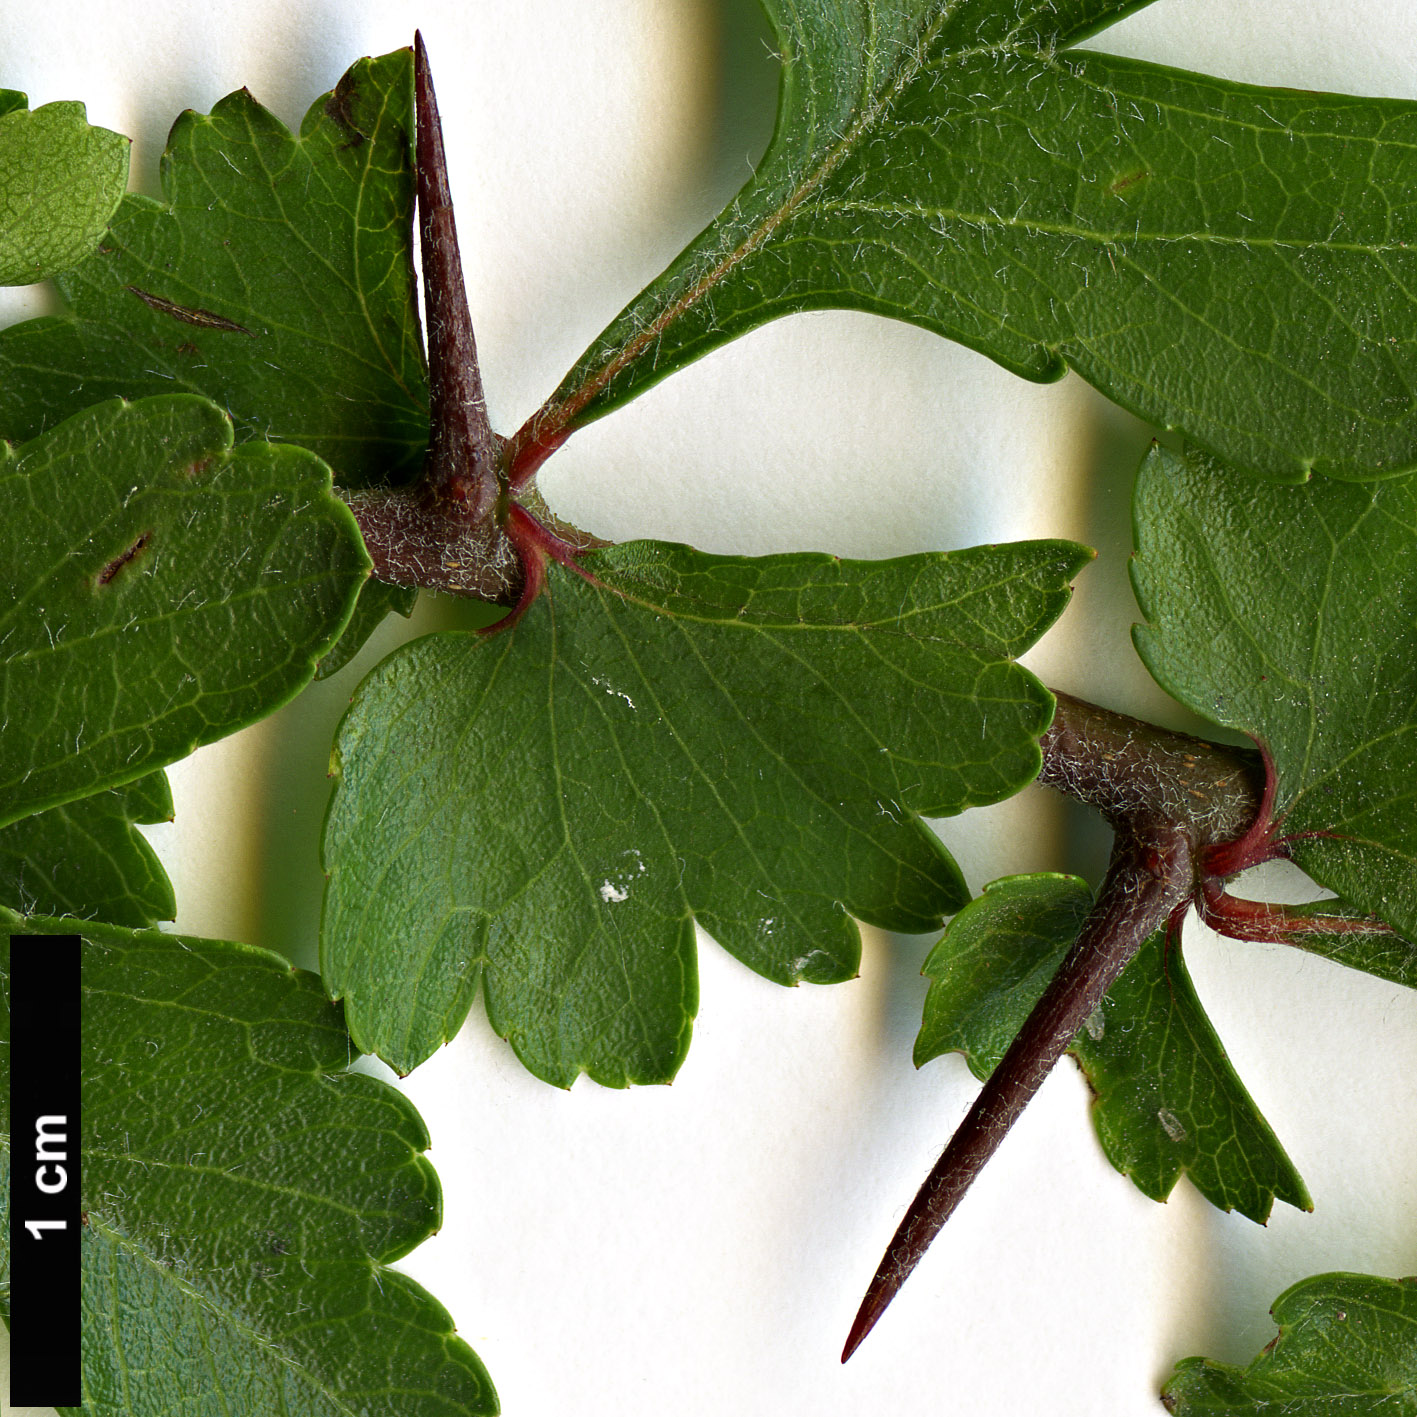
point(46, 1215)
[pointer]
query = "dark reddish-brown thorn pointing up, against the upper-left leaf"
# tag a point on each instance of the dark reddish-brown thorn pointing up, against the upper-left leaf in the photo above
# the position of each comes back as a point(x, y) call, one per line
point(463, 448)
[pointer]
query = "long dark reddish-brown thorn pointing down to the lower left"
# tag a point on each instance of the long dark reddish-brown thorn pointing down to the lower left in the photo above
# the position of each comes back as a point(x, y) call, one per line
point(1144, 886)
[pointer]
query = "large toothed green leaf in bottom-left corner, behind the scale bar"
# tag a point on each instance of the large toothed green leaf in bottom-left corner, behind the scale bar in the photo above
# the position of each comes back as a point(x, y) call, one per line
point(244, 1195)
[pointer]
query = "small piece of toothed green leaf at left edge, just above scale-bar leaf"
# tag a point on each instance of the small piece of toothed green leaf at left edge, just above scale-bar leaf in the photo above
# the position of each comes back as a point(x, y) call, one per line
point(86, 859)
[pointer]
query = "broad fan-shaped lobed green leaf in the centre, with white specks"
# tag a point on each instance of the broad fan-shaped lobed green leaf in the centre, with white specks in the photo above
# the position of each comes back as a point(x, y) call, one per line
point(745, 743)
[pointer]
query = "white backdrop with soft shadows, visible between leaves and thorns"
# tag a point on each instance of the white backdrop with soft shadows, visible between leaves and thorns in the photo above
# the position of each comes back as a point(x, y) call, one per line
point(702, 1249)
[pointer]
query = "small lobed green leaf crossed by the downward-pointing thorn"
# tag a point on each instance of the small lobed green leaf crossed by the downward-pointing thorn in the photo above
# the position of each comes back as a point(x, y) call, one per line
point(1165, 1099)
